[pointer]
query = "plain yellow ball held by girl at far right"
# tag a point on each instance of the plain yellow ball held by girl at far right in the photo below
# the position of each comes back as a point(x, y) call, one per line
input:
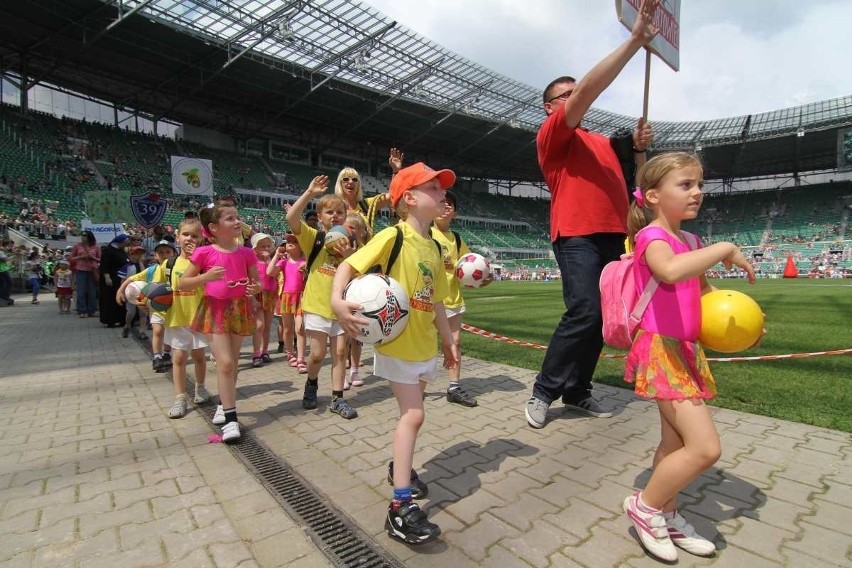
point(730, 321)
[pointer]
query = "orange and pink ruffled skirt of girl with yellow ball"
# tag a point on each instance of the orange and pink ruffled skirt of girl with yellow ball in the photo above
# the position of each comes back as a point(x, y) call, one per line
point(666, 368)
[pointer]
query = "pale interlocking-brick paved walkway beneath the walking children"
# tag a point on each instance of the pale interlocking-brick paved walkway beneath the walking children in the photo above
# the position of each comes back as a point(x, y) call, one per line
point(93, 473)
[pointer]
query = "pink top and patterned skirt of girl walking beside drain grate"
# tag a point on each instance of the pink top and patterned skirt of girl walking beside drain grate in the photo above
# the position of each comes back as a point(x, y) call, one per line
point(225, 308)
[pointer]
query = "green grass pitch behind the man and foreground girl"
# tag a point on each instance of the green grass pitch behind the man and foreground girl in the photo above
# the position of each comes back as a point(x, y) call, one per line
point(801, 316)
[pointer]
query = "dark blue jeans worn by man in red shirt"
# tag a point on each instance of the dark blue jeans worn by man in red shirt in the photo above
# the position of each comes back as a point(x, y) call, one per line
point(575, 347)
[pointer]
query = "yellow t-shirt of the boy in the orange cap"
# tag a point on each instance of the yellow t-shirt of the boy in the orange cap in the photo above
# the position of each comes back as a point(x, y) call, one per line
point(419, 269)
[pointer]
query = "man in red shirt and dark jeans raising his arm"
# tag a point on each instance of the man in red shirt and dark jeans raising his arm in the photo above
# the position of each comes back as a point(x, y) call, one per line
point(588, 217)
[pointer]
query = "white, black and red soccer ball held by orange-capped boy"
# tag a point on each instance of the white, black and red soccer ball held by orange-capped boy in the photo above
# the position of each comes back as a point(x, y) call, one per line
point(383, 302)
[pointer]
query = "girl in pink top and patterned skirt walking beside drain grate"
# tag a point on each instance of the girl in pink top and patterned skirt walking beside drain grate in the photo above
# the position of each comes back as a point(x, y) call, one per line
point(228, 272)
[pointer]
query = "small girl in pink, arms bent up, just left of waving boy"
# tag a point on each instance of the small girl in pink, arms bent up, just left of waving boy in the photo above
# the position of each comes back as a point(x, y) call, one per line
point(290, 262)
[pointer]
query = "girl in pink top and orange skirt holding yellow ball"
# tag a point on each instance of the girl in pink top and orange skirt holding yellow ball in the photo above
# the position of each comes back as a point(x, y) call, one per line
point(666, 363)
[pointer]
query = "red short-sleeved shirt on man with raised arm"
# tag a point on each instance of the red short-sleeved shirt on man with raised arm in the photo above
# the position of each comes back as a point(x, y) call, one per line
point(587, 189)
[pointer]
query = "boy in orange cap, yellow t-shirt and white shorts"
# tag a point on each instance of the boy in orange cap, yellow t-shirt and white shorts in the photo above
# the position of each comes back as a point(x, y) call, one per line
point(409, 362)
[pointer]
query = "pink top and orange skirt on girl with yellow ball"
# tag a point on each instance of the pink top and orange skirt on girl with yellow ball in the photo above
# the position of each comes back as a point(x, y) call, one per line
point(666, 362)
